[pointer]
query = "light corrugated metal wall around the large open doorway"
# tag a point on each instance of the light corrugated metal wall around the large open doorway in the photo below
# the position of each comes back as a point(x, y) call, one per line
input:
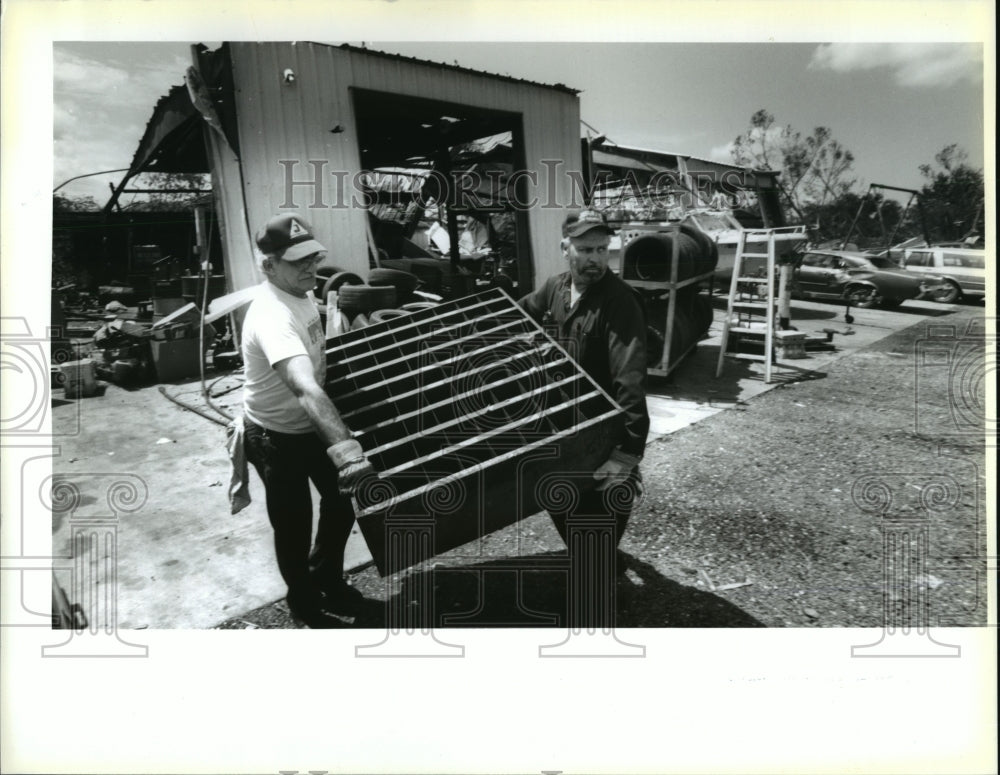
point(292, 122)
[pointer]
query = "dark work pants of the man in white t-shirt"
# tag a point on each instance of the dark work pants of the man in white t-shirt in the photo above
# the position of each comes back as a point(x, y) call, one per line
point(286, 463)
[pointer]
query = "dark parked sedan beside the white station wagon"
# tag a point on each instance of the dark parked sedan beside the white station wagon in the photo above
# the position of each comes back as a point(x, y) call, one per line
point(862, 280)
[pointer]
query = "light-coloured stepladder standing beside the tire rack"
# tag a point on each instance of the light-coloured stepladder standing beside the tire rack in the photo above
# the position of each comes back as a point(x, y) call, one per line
point(751, 296)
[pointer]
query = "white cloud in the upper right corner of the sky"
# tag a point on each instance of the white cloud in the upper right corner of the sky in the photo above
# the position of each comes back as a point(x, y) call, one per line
point(913, 64)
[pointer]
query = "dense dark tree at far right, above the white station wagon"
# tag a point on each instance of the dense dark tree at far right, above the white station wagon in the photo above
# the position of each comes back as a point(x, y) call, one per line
point(953, 196)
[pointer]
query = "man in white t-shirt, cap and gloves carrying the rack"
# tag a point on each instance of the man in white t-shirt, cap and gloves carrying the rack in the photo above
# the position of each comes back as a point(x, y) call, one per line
point(292, 431)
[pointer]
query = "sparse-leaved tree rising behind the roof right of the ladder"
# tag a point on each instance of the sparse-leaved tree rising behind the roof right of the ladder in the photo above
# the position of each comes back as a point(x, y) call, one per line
point(814, 168)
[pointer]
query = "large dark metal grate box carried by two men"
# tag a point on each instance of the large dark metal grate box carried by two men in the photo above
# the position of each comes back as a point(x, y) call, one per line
point(466, 410)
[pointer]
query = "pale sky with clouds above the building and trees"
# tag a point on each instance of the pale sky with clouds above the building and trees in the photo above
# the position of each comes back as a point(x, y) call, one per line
point(893, 105)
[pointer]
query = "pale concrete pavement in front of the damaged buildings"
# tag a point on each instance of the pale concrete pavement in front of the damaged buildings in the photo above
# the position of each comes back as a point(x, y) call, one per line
point(184, 561)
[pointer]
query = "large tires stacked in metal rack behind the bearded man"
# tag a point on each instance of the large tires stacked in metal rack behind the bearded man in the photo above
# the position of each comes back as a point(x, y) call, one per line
point(649, 257)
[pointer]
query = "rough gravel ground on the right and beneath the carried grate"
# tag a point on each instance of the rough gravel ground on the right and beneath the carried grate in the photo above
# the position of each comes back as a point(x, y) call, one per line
point(765, 496)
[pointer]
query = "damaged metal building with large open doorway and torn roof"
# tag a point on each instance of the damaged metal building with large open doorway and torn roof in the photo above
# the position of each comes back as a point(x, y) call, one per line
point(313, 127)
